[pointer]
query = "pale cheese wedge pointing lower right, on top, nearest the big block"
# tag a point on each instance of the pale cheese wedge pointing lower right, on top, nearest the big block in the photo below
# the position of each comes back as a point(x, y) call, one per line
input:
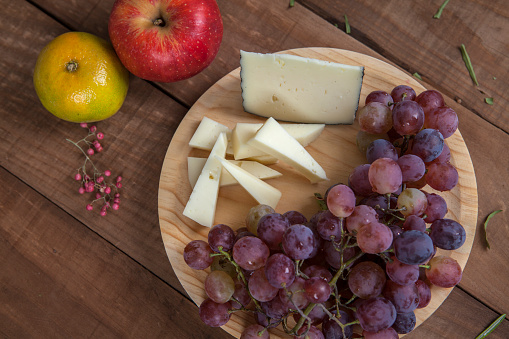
point(274, 140)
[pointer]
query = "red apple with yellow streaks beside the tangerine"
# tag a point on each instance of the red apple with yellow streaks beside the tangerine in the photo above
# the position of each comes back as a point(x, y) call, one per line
point(165, 40)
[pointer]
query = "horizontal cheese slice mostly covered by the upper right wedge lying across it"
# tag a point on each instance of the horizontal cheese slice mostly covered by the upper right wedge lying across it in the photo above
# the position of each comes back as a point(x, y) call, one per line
point(243, 132)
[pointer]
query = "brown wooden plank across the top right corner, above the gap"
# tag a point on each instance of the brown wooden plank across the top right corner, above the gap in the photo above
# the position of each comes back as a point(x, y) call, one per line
point(407, 33)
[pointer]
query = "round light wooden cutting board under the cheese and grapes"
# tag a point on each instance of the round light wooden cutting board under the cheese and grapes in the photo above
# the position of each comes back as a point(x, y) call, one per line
point(335, 150)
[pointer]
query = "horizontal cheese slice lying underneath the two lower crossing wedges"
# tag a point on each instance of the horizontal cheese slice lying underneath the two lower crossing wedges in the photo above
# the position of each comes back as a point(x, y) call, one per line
point(195, 165)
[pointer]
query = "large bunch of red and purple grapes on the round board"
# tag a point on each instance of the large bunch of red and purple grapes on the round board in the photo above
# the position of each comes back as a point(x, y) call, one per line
point(368, 258)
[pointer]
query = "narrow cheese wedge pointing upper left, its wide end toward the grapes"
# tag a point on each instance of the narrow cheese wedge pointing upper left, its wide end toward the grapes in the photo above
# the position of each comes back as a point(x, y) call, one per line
point(262, 192)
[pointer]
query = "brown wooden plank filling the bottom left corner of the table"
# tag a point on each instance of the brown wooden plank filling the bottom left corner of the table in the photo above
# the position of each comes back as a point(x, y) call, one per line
point(61, 280)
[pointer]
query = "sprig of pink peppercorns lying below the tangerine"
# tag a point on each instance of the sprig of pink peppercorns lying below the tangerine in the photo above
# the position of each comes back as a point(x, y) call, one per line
point(91, 178)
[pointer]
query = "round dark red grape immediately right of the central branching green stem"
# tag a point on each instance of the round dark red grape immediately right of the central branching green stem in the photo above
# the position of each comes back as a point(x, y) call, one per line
point(366, 280)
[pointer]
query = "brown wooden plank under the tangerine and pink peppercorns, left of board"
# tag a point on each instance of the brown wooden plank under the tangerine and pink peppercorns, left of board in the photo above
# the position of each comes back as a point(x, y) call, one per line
point(33, 146)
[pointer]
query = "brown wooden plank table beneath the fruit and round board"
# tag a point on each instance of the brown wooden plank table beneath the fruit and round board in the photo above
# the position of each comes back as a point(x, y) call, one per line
point(67, 272)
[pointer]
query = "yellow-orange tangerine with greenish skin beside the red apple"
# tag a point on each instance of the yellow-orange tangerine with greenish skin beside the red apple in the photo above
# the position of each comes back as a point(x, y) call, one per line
point(79, 78)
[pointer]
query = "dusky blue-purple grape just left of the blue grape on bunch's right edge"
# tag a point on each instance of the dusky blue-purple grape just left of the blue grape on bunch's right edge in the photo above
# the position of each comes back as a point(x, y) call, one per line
point(413, 247)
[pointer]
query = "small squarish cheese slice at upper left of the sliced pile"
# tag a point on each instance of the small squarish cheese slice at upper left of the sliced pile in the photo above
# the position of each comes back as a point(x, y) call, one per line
point(206, 135)
